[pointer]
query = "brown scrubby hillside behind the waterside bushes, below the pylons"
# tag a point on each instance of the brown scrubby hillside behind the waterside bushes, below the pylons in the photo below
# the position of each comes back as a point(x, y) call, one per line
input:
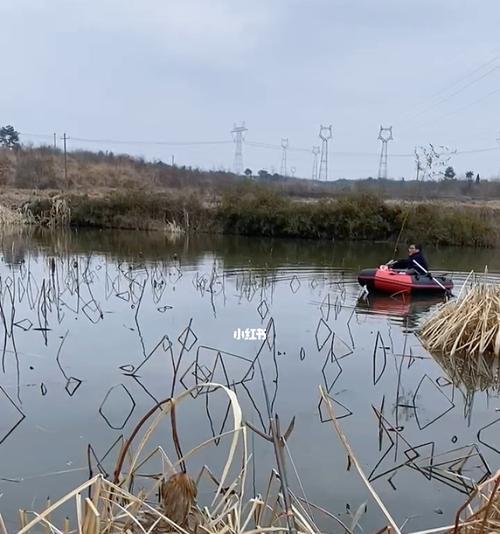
point(43, 169)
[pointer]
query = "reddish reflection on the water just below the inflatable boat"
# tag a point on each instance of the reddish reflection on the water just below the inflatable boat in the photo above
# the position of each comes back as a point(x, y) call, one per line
point(398, 306)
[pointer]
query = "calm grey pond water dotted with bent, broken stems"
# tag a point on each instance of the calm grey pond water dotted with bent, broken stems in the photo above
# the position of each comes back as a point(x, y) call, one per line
point(92, 322)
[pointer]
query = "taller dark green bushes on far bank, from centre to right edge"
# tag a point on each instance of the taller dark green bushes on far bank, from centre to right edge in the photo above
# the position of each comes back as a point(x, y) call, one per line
point(262, 211)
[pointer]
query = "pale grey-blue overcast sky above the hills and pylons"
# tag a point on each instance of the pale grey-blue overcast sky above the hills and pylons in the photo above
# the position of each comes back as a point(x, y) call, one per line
point(186, 70)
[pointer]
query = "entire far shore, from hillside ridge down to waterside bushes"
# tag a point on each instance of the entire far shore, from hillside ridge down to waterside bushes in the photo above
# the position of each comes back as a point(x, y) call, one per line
point(107, 191)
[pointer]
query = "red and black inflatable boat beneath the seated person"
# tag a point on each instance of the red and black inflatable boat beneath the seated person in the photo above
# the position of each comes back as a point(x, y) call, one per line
point(387, 280)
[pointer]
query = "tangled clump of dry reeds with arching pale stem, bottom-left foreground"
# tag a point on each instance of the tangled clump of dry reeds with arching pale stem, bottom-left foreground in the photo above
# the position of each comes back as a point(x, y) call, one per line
point(166, 502)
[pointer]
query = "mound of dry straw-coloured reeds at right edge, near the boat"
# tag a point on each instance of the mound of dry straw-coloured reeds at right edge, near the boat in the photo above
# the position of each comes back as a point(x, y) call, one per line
point(469, 325)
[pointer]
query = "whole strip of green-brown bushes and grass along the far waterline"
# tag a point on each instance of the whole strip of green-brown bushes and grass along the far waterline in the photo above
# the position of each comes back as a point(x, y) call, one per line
point(259, 211)
